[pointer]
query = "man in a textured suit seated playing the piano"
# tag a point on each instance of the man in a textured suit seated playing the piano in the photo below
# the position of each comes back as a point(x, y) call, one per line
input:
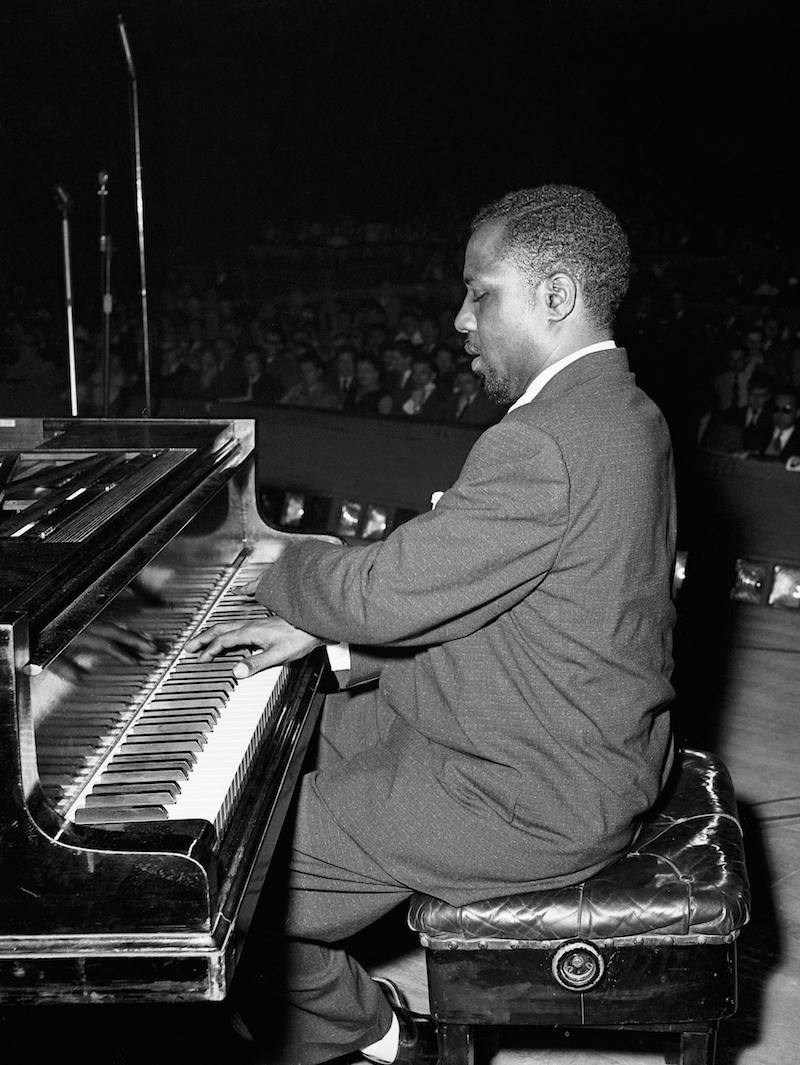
point(517, 640)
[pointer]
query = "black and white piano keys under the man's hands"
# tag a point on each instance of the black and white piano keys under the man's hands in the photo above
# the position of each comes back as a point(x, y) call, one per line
point(186, 751)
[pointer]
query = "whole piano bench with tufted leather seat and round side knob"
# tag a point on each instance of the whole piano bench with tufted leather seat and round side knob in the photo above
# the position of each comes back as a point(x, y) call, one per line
point(647, 945)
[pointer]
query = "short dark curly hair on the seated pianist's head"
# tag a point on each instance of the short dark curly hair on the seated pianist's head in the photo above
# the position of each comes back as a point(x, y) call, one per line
point(562, 228)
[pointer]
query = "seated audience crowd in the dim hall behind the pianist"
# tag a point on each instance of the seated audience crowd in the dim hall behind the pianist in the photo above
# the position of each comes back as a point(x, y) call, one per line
point(391, 350)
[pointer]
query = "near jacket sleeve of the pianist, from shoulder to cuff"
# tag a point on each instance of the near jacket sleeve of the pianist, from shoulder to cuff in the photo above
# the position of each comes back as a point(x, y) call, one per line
point(491, 542)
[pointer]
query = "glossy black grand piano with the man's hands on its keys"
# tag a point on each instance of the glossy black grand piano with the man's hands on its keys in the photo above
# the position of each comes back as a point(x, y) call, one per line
point(141, 800)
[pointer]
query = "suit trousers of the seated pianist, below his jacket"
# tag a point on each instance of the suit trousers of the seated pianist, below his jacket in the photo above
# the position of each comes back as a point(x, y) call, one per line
point(303, 997)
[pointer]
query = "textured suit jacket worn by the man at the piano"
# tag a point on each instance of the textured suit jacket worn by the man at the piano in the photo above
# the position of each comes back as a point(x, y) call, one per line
point(521, 634)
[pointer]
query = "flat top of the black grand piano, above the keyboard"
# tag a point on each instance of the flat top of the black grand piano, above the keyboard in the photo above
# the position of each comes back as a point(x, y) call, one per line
point(85, 503)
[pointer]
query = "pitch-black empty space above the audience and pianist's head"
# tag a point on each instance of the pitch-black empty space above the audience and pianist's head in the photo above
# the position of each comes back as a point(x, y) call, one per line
point(256, 110)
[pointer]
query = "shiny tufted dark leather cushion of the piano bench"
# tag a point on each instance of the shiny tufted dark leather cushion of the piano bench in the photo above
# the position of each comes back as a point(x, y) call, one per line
point(684, 877)
